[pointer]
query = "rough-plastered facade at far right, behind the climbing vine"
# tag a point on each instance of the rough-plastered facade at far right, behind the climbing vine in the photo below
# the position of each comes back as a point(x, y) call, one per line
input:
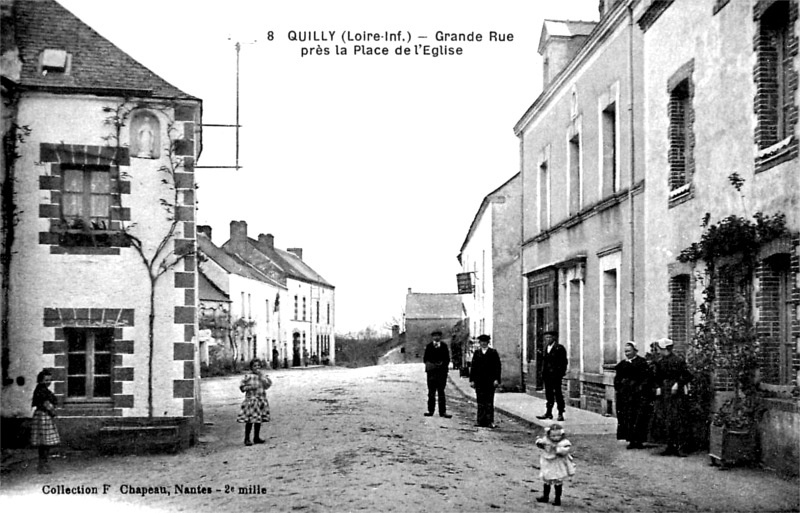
point(723, 102)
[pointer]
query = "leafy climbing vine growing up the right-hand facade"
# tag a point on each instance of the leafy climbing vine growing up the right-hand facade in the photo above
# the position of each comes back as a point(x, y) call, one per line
point(725, 348)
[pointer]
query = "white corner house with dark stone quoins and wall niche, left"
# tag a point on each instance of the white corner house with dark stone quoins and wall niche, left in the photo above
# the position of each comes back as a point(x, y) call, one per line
point(82, 211)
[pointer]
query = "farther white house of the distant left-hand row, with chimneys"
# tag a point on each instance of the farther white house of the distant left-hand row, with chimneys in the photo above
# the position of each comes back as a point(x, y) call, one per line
point(307, 330)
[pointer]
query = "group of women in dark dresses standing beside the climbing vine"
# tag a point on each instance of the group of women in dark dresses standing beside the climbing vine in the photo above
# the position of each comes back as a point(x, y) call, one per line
point(651, 397)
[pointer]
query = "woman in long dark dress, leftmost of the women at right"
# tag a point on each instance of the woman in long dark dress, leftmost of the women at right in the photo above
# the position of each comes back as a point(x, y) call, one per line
point(631, 384)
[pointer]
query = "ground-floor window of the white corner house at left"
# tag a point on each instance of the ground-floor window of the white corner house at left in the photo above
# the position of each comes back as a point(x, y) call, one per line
point(89, 362)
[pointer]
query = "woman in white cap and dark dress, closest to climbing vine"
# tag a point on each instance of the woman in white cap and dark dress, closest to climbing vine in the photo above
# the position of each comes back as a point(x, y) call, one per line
point(671, 378)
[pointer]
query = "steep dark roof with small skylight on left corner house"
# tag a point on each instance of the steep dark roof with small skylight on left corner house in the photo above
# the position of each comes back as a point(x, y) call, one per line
point(97, 66)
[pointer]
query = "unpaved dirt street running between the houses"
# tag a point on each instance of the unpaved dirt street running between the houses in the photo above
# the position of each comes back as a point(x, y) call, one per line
point(356, 440)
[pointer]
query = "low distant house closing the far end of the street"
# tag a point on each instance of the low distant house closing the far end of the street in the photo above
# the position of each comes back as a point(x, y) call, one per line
point(426, 312)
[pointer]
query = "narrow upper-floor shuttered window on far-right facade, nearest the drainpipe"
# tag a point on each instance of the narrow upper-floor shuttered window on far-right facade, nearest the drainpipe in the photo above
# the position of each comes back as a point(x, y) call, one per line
point(680, 136)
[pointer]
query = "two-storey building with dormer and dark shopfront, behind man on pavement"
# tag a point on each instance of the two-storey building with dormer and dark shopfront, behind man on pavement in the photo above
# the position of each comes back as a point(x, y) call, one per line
point(582, 183)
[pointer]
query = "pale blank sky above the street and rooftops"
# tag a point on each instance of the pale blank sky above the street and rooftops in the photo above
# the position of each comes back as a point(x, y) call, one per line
point(374, 165)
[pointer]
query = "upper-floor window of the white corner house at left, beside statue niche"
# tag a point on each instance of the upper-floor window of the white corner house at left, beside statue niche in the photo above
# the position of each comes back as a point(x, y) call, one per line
point(86, 198)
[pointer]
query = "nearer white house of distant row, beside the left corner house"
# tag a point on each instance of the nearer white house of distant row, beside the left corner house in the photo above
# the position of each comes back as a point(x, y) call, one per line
point(254, 316)
